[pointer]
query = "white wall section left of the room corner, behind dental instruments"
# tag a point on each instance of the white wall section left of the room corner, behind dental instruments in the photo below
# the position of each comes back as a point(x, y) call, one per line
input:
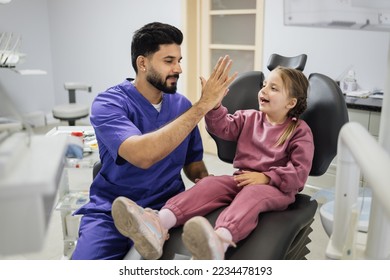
point(29, 19)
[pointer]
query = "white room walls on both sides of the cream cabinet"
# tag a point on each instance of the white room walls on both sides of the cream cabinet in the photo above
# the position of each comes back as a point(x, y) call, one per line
point(89, 41)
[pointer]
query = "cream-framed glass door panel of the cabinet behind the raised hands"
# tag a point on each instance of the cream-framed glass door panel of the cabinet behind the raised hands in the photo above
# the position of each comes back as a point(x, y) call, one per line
point(234, 28)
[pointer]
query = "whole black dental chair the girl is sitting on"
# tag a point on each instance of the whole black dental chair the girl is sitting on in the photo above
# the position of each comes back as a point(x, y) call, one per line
point(279, 235)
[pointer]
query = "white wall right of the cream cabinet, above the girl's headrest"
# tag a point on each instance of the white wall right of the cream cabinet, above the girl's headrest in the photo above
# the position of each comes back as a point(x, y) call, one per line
point(330, 51)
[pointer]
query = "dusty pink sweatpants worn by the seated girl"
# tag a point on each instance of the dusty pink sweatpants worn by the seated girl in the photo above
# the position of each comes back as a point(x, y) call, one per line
point(244, 204)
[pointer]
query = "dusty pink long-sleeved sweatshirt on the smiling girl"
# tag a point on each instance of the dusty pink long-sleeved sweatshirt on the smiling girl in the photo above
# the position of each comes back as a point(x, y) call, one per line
point(287, 166)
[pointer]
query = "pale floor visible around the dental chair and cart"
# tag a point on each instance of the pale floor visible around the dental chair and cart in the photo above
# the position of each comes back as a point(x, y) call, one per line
point(53, 247)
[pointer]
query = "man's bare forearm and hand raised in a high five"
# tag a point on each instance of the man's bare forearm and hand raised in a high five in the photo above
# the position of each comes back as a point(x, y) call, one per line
point(162, 142)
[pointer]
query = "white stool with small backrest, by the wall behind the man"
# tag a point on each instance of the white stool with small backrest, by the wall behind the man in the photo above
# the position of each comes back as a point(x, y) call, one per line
point(72, 111)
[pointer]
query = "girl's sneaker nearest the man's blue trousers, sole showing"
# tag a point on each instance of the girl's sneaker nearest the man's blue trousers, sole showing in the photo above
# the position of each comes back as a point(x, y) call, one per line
point(140, 225)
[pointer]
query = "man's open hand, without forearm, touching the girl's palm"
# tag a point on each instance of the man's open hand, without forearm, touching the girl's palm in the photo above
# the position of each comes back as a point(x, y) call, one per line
point(216, 87)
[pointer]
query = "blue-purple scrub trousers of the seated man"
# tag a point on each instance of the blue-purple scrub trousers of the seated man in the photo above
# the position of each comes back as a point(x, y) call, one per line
point(99, 239)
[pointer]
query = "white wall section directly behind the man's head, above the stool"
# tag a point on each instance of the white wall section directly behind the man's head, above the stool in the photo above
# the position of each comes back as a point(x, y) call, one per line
point(91, 39)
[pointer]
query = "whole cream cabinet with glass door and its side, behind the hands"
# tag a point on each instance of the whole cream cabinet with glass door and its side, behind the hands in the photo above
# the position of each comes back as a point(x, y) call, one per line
point(216, 28)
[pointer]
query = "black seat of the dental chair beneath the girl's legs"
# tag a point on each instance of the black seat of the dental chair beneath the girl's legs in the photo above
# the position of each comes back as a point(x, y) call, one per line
point(279, 235)
